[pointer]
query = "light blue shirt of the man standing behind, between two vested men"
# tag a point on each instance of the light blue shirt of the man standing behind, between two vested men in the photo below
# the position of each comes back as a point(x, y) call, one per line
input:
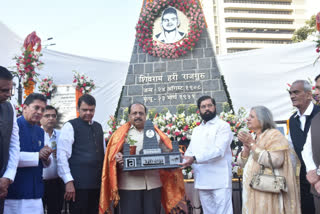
point(51, 172)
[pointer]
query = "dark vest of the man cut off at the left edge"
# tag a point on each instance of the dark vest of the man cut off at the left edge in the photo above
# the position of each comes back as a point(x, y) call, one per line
point(6, 123)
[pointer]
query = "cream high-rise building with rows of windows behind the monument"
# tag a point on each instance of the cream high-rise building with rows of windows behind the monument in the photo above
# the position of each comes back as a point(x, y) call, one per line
point(241, 25)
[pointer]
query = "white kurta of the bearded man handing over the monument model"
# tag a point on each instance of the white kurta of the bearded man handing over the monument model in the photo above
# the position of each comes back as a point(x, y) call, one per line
point(210, 144)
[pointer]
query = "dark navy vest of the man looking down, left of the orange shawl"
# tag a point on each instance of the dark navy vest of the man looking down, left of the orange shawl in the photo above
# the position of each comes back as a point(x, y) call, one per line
point(87, 156)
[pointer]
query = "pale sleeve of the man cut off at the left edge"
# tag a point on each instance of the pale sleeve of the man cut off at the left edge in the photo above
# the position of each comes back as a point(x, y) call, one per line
point(14, 150)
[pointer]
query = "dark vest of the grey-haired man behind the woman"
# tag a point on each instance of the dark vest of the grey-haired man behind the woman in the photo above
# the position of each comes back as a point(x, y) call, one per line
point(299, 137)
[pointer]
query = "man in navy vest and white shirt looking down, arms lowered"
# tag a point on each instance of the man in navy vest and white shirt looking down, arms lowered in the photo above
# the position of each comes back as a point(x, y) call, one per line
point(80, 154)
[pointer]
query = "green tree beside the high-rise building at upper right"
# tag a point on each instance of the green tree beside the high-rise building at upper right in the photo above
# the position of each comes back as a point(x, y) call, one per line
point(302, 33)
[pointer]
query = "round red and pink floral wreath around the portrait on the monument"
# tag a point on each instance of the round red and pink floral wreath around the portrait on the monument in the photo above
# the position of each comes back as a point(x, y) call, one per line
point(191, 8)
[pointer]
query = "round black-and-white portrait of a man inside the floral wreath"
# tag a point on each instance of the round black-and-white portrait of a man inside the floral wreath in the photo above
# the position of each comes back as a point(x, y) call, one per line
point(171, 26)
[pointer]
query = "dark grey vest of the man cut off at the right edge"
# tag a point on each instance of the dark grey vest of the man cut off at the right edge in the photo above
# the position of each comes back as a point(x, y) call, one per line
point(315, 142)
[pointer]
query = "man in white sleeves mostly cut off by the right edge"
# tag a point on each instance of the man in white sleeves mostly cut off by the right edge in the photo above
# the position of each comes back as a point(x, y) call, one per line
point(311, 153)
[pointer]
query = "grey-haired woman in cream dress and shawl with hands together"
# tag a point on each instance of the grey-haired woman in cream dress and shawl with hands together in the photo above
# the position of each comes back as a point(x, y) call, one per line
point(255, 153)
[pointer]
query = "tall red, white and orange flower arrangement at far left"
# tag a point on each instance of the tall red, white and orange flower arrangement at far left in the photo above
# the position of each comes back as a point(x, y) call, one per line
point(29, 62)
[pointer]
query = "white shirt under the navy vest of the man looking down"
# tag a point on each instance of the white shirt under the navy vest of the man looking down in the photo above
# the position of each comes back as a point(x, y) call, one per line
point(64, 151)
